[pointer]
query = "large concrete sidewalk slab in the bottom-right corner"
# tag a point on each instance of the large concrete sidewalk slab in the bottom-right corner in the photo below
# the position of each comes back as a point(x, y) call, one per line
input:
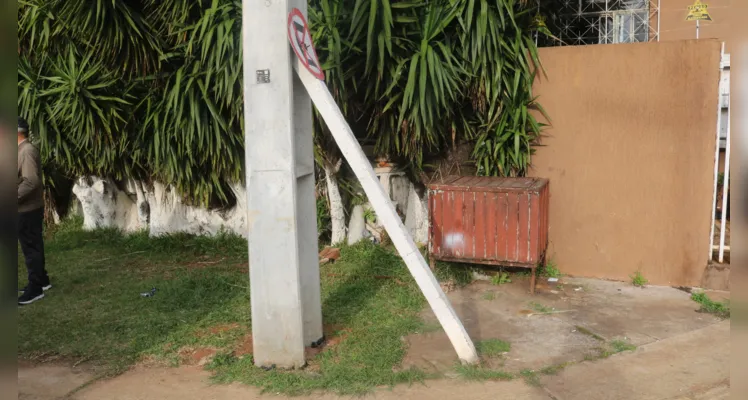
point(693, 365)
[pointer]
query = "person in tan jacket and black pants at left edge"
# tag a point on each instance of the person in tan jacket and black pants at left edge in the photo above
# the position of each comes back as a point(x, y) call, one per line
point(31, 216)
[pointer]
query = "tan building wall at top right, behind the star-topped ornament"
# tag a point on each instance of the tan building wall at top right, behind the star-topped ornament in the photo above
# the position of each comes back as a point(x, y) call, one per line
point(673, 24)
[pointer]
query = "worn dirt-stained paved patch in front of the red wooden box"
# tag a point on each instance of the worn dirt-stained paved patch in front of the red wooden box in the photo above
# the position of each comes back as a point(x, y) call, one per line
point(583, 313)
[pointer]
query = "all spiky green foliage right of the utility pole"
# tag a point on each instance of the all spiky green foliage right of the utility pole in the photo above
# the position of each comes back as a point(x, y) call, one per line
point(429, 74)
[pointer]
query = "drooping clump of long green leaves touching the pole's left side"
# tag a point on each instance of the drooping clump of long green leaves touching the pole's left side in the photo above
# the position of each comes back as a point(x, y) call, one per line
point(199, 104)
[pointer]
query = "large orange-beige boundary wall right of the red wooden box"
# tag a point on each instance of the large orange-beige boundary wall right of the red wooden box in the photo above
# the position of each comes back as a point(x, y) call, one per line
point(630, 157)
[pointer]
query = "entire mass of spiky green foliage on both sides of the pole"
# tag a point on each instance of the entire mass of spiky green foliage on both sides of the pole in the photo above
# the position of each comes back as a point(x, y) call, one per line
point(152, 89)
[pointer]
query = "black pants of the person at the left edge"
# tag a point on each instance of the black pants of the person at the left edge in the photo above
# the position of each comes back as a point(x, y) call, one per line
point(31, 238)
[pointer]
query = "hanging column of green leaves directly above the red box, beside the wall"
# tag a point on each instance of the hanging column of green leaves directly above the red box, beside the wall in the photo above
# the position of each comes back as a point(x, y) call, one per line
point(504, 59)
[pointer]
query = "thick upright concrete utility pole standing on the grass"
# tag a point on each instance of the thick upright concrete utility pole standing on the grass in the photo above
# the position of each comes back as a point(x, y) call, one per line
point(284, 268)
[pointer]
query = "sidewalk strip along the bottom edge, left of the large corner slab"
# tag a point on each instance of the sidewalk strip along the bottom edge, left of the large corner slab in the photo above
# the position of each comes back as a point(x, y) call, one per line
point(192, 383)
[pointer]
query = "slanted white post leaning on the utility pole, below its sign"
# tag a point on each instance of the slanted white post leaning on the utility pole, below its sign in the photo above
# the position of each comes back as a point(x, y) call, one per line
point(381, 203)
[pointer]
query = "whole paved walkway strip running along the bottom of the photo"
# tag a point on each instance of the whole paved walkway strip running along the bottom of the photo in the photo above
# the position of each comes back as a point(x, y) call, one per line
point(689, 366)
